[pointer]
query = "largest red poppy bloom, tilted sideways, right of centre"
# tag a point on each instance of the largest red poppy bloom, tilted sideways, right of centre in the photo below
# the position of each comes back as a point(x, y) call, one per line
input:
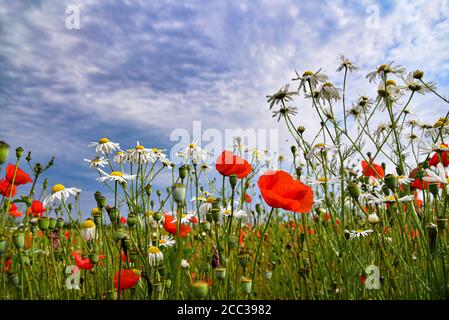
point(280, 190)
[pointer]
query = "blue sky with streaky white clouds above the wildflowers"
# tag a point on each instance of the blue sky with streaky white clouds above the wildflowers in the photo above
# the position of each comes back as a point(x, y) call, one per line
point(136, 70)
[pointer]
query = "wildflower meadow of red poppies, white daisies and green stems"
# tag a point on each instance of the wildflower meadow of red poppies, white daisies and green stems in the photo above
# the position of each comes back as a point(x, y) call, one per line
point(359, 211)
